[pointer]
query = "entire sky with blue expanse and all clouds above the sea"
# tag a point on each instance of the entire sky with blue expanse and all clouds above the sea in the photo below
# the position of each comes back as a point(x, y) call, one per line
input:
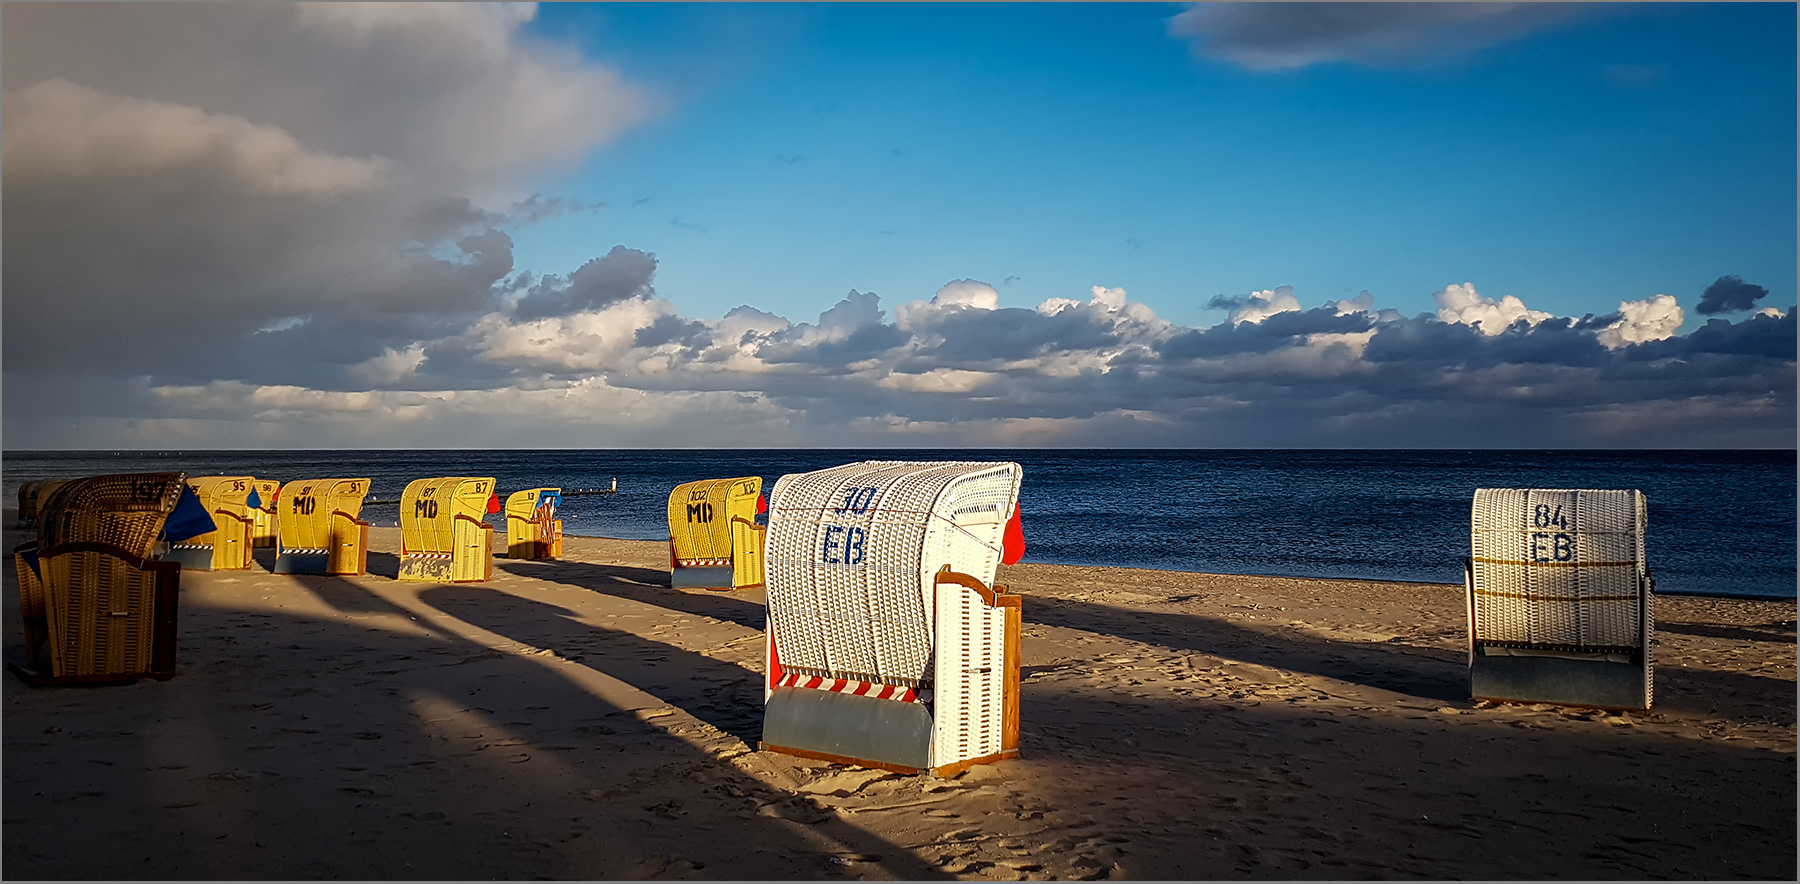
point(341, 226)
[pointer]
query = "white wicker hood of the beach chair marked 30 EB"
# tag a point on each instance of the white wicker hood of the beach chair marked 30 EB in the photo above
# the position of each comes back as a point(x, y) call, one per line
point(850, 557)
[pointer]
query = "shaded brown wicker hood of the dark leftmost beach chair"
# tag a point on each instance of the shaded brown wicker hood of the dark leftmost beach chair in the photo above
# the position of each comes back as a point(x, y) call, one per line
point(123, 510)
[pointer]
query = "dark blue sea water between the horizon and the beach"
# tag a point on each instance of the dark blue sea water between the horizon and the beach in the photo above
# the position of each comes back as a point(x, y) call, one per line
point(1720, 523)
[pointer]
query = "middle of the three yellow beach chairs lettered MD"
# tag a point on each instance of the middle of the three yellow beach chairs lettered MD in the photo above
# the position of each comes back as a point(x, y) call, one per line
point(442, 532)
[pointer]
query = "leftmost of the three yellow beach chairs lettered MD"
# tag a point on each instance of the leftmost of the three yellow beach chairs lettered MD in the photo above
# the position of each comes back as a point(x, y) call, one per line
point(319, 528)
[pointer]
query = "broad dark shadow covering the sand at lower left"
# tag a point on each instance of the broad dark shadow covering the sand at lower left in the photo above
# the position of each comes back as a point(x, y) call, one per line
point(305, 748)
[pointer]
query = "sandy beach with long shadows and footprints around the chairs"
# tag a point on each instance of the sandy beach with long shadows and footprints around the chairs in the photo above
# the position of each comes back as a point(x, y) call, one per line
point(580, 719)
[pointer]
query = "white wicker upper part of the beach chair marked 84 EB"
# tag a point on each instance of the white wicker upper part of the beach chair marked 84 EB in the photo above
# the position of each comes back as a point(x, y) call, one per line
point(1560, 568)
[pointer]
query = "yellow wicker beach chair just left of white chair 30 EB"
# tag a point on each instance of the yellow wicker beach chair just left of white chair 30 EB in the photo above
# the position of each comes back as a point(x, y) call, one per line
point(717, 536)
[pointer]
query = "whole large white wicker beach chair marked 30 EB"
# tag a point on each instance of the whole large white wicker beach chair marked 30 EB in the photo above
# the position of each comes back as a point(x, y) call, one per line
point(886, 644)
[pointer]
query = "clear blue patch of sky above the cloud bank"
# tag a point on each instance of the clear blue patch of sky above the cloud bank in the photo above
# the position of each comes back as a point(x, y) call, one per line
point(809, 150)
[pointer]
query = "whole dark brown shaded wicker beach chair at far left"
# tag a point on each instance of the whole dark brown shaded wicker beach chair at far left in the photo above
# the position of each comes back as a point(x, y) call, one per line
point(91, 586)
